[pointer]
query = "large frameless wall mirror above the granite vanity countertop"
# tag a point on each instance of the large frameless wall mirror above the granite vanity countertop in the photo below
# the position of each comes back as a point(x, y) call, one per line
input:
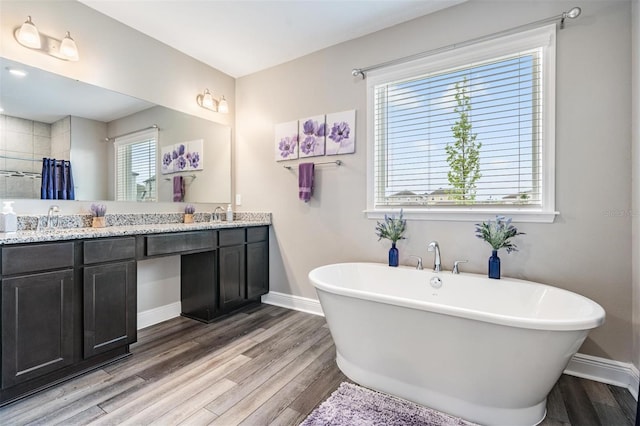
point(45, 115)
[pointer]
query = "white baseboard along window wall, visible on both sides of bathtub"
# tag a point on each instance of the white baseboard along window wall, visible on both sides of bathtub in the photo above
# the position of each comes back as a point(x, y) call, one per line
point(586, 366)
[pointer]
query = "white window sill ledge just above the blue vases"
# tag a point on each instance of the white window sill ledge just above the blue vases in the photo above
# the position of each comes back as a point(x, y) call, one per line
point(466, 215)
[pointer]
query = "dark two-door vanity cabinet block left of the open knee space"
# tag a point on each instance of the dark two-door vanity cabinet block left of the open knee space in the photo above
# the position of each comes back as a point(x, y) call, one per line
point(66, 307)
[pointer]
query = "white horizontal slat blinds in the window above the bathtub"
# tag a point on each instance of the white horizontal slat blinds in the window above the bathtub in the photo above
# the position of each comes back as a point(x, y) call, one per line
point(464, 135)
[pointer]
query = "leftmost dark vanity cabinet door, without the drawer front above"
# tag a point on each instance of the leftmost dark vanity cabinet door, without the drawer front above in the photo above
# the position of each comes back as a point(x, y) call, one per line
point(37, 325)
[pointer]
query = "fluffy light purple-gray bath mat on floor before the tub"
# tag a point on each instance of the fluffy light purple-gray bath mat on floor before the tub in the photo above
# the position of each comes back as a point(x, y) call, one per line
point(354, 405)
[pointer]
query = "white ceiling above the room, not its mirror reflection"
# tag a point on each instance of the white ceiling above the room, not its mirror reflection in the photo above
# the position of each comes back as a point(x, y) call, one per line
point(240, 37)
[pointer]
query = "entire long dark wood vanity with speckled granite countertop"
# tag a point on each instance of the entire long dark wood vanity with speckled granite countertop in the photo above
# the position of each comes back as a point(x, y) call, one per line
point(69, 304)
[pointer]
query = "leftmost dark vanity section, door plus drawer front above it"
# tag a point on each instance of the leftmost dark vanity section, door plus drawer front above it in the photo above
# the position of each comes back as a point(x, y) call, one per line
point(37, 311)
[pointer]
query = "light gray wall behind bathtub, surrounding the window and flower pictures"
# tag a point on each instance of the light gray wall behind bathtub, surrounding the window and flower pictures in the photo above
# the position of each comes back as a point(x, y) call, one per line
point(586, 250)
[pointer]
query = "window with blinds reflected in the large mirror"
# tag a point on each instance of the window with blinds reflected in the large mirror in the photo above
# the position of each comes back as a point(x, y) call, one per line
point(136, 166)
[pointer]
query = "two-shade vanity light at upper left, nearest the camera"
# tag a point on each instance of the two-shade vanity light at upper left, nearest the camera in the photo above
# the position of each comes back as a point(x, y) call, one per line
point(29, 36)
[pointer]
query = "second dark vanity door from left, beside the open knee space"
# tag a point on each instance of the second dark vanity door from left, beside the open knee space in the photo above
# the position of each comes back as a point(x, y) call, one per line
point(109, 307)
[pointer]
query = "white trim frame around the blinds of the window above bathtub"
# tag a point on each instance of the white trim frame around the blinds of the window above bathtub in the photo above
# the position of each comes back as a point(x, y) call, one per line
point(545, 37)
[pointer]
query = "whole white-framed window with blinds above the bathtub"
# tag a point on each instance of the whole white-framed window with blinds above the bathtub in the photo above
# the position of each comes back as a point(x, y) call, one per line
point(466, 133)
